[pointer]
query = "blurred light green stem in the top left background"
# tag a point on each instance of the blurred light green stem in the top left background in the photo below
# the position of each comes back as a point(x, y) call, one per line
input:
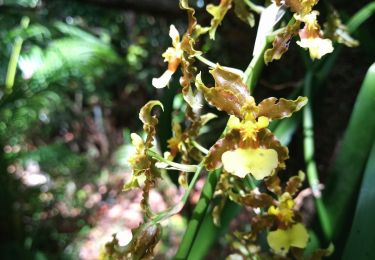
point(12, 65)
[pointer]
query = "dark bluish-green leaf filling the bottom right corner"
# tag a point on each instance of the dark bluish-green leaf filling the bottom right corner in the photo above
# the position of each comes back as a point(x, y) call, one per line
point(360, 244)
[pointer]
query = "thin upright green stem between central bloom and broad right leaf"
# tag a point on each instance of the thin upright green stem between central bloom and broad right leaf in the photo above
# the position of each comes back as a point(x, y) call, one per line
point(309, 151)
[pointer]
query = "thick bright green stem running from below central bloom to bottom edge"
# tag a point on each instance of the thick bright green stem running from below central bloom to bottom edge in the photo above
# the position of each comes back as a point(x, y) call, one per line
point(198, 215)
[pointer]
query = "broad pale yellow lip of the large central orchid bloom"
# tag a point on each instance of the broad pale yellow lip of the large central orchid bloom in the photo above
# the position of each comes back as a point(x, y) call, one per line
point(259, 162)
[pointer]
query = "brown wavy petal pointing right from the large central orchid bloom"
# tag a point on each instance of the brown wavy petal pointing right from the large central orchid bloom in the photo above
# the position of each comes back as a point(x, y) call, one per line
point(278, 109)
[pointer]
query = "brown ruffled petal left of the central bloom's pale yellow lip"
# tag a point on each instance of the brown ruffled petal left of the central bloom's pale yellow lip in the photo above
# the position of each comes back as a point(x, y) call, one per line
point(229, 142)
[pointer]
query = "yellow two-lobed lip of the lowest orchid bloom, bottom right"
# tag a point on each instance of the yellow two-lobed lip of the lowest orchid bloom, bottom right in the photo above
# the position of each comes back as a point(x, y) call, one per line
point(281, 240)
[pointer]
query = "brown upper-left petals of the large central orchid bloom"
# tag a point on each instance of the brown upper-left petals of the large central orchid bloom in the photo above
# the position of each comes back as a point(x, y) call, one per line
point(229, 94)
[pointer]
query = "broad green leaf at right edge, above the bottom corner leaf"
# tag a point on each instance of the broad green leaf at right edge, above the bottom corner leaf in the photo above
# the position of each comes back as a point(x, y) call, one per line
point(346, 172)
